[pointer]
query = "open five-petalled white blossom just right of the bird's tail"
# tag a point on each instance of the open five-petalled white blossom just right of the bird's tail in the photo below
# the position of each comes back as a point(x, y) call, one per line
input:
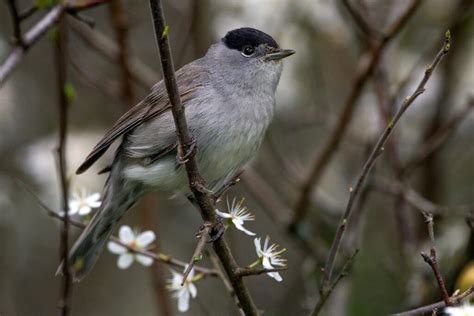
point(134, 240)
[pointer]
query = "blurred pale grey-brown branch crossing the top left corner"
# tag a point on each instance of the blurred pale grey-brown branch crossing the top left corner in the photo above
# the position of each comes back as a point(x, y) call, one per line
point(37, 31)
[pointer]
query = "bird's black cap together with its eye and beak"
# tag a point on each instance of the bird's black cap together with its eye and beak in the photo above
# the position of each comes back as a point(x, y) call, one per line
point(248, 41)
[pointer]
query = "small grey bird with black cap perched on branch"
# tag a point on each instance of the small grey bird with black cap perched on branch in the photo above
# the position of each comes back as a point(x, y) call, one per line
point(229, 100)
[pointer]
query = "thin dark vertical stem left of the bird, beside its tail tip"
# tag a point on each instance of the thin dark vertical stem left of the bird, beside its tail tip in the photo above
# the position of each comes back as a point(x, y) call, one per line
point(60, 45)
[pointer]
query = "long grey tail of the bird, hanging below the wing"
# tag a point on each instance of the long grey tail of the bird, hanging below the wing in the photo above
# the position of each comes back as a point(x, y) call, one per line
point(118, 198)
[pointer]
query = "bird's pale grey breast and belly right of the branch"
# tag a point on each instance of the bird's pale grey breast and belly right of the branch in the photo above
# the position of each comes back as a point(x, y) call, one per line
point(228, 131)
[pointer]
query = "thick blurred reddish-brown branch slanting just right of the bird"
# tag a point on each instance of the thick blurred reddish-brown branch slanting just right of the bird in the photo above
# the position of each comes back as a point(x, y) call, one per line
point(366, 70)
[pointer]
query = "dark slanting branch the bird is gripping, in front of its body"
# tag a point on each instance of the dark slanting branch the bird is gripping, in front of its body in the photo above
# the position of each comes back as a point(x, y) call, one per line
point(196, 182)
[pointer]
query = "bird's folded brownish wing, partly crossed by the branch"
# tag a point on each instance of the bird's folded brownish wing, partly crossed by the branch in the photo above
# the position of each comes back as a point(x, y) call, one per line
point(189, 79)
